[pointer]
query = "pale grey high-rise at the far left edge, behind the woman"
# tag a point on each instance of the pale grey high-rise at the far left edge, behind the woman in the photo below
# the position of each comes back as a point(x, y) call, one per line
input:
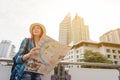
point(6, 49)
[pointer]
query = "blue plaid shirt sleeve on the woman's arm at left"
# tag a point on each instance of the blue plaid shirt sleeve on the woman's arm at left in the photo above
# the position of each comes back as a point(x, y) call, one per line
point(18, 57)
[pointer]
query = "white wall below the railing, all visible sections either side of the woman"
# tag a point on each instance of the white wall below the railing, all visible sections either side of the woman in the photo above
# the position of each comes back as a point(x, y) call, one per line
point(76, 74)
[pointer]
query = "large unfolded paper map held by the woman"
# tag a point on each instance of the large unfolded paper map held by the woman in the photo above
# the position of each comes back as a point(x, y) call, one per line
point(50, 53)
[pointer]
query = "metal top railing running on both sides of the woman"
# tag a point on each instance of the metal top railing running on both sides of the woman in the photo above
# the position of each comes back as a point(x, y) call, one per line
point(115, 66)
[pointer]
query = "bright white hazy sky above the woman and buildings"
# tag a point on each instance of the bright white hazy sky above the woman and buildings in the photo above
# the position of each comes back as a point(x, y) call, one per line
point(16, 16)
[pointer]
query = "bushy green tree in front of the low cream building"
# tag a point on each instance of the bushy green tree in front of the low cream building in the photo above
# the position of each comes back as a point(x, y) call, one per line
point(90, 56)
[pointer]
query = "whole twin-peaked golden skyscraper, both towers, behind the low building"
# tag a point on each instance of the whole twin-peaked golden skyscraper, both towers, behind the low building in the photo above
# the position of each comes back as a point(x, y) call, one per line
point(73, 31)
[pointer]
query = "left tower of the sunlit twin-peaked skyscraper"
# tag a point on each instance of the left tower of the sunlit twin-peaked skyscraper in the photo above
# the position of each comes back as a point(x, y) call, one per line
point(64, 30)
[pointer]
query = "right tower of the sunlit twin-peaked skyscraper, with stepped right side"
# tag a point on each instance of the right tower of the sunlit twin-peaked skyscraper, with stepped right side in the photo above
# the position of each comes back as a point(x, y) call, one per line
point(79, 31)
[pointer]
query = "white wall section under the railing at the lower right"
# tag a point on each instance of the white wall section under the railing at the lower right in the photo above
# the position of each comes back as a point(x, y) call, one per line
point(93, 74)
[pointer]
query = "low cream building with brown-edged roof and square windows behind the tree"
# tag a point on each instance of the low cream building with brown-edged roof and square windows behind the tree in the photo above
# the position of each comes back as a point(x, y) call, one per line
point(110, 50)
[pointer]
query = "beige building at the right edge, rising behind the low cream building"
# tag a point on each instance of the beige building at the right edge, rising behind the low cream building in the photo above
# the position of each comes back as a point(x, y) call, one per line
point(112, 36)
